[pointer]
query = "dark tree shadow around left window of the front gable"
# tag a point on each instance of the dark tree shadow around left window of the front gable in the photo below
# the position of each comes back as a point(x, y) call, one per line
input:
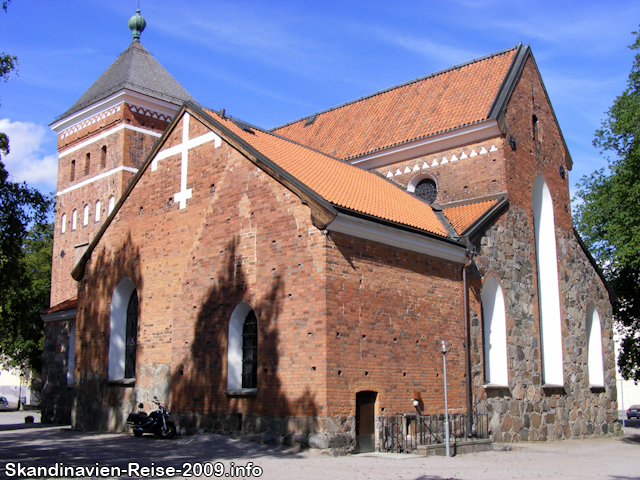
point(99, 405)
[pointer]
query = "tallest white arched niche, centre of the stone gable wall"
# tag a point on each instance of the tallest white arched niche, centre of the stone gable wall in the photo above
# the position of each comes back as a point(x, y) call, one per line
point(548, 285)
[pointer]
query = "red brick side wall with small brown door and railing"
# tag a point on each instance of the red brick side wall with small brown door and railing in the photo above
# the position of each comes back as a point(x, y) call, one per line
point(388, 310)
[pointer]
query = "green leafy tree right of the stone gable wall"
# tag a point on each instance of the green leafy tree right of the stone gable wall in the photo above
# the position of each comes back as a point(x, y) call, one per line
point(608, 217)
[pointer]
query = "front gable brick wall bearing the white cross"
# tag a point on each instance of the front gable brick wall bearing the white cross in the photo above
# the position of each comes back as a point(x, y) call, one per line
point(248, 239)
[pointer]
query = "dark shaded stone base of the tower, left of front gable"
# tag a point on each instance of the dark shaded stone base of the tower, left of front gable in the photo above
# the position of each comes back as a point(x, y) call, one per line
point(57, 397)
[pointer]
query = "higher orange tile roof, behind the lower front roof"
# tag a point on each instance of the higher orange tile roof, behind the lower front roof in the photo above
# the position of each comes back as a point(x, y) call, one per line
point(456, 97)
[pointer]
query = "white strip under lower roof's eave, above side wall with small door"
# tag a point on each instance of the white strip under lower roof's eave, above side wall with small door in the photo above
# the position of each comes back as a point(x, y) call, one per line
point(398, 238)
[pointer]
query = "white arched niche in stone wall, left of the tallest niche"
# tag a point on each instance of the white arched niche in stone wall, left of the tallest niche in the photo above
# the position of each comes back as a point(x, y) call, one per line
point(494, 329)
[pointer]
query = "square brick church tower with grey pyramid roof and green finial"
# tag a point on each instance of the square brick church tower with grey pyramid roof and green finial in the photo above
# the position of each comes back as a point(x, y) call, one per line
point(102, 141)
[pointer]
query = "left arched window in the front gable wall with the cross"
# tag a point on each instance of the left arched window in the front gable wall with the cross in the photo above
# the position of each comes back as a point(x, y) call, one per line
point(123, 337)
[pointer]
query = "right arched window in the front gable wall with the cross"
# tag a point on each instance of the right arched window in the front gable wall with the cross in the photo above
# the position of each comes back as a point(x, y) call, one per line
point(242, 352)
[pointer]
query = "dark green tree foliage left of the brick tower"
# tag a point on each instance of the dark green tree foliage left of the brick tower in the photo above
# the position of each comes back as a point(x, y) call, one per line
point(26, 240)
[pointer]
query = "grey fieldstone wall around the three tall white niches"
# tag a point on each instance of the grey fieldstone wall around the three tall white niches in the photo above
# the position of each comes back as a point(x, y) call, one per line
point(525, 410)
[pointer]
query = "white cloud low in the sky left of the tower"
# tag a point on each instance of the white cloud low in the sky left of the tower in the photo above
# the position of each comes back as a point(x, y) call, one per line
point(28, 161)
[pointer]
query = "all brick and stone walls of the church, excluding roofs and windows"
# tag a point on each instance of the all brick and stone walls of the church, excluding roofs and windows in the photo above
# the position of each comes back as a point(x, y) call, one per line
point(337, 314)
